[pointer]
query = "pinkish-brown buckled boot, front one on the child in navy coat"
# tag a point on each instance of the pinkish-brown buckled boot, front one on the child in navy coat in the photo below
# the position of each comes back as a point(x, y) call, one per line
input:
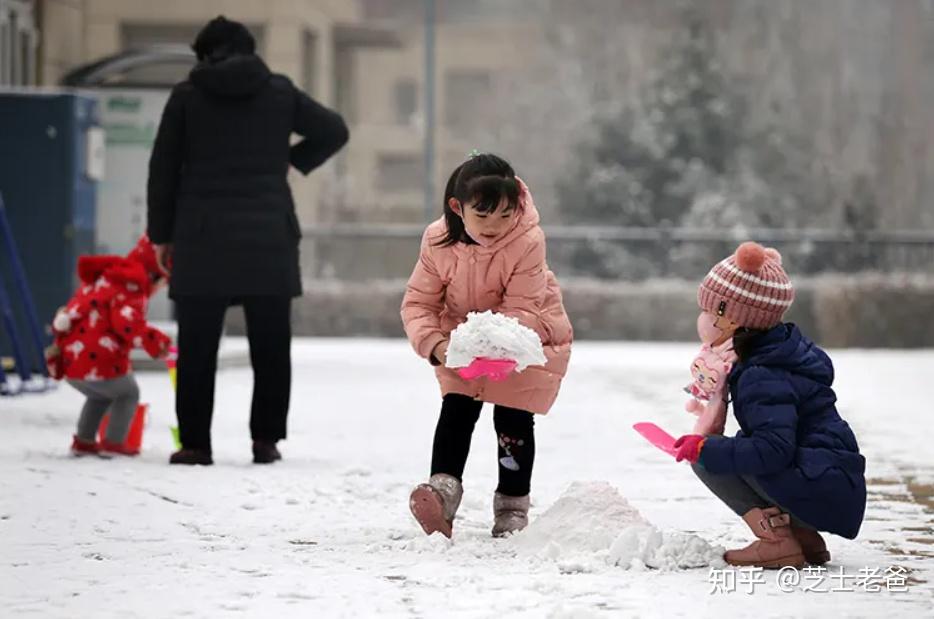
point(776, 546)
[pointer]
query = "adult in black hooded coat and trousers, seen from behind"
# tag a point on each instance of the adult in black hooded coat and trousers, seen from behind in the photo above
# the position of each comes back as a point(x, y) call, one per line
point(222, 217)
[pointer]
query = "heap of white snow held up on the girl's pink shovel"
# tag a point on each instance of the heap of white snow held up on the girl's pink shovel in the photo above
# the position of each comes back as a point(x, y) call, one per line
point(494, 336)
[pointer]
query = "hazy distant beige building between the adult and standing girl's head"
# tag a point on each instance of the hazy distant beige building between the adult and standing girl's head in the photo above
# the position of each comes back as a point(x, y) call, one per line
point(476, 64)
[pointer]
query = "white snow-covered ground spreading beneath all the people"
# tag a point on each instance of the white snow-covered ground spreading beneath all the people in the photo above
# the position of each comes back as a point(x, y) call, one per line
point(327, 532)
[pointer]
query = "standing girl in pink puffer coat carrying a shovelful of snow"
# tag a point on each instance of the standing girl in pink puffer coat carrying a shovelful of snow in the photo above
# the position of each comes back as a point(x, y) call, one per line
point(486, 253)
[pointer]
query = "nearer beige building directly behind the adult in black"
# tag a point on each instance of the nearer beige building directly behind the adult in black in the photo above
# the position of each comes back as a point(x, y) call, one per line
point(302, 39)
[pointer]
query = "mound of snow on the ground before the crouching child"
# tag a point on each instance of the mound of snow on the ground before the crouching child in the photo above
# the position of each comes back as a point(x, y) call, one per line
point(593, 525)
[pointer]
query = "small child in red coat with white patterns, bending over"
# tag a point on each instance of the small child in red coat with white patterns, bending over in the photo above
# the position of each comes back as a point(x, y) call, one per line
point(94, 334)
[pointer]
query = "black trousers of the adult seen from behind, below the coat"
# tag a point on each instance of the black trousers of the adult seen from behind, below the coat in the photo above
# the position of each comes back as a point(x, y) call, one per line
point(200, 323)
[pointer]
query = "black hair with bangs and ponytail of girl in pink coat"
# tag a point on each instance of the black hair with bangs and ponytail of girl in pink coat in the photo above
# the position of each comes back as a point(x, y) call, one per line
point(482, 182)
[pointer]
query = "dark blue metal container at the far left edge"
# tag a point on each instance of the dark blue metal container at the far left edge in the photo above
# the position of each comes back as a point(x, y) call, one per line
point(51, 149)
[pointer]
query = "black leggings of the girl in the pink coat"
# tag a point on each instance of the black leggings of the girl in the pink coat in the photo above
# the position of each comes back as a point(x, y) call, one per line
point(515, 435)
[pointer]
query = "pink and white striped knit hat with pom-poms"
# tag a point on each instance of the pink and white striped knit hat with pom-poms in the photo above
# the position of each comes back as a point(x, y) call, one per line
point(750, 288)
